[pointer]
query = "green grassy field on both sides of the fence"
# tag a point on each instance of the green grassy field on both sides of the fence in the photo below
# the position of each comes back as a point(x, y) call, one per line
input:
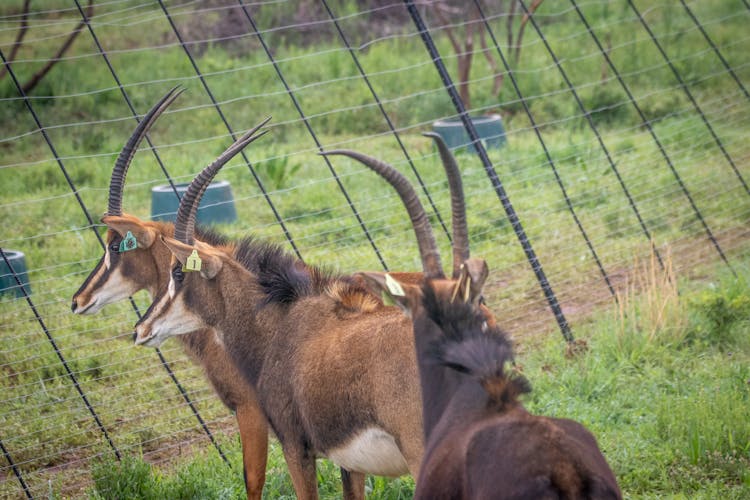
point(665, 395)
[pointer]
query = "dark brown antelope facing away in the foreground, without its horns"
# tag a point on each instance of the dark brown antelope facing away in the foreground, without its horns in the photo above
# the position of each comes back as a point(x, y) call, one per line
point(480, 442)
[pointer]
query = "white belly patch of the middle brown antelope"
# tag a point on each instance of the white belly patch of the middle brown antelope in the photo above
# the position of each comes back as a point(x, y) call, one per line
point(372, 451)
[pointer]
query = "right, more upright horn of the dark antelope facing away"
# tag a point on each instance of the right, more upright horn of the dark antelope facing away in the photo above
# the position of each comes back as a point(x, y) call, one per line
point(458, 206)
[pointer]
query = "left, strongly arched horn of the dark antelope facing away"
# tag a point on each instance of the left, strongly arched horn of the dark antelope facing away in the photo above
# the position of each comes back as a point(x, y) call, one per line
point(425, 239)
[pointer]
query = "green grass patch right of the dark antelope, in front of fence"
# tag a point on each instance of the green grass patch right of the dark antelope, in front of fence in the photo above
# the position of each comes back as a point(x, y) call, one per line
point(668, 407)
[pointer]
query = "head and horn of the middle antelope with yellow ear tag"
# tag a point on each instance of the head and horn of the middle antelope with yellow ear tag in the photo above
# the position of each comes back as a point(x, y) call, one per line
point(193, 297)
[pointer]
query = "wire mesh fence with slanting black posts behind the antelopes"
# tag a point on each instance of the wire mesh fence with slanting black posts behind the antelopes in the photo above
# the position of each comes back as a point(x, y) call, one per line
point(623, 131)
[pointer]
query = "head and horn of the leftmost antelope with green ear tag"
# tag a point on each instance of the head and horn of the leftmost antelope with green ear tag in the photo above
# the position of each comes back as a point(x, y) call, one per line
point(129, 263)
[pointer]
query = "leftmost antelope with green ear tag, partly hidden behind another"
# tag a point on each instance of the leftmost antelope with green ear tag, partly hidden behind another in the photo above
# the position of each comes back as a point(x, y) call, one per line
point(134, 260)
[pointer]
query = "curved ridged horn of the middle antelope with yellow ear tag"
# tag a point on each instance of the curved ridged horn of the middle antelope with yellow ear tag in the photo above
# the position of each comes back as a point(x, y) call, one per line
point(184, 225)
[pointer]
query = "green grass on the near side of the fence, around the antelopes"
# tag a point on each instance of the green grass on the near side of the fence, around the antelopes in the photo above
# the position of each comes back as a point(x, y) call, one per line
point(669, 408)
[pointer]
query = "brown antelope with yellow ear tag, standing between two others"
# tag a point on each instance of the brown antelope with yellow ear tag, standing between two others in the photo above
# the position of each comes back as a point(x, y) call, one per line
point(334, 370)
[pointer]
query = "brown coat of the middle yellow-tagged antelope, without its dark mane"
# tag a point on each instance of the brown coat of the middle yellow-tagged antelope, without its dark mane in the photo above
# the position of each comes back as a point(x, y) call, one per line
point(322, 375)
